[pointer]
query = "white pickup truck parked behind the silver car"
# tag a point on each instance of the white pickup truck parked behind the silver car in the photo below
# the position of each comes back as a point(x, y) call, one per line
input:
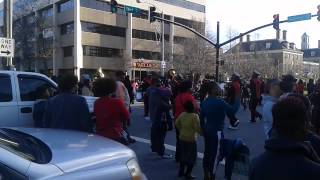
point(18, 92)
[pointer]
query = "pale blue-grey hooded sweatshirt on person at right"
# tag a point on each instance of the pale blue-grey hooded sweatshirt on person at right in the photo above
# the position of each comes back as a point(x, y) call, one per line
point(268, 102)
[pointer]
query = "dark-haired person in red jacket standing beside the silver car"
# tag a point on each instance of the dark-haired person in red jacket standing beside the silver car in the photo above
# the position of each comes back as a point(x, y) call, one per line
point(111, 113)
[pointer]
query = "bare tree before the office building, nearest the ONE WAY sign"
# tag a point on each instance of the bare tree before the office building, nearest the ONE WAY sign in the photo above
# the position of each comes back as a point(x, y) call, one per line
point(32, 33)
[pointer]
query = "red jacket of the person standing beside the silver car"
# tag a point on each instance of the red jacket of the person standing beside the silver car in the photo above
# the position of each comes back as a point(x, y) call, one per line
point(110, 115)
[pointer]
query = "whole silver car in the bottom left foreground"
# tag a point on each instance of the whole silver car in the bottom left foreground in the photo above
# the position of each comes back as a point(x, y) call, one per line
point(30, 153)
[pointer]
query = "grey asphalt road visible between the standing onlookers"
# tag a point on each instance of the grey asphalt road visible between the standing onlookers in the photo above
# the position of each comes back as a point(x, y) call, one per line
point(167, 169)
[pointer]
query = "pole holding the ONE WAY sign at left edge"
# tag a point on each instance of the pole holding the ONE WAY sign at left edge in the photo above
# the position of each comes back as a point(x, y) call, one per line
point(8, 5)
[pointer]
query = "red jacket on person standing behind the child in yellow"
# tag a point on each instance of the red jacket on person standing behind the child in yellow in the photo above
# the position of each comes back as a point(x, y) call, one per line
point(179, 102)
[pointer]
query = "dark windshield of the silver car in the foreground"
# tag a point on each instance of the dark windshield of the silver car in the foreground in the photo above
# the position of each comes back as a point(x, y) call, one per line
point(25, 146)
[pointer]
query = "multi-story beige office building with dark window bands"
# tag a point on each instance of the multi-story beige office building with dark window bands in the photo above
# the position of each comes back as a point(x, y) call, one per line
point(81, 36)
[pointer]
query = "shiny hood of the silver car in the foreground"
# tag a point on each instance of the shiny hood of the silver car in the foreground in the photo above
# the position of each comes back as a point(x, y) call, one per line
point(72, 150)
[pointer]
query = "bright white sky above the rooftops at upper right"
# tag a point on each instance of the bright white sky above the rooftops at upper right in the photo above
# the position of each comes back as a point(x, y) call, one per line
point(243, 15)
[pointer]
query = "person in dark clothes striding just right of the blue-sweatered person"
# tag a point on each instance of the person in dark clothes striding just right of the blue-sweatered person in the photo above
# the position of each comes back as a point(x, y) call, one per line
point(233, 98)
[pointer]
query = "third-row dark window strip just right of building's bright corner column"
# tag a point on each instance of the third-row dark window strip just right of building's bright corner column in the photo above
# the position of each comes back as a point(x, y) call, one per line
point(101, 51)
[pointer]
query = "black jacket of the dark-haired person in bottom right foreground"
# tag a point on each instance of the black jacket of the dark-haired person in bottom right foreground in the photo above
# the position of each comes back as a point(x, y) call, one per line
point(286, 160)
